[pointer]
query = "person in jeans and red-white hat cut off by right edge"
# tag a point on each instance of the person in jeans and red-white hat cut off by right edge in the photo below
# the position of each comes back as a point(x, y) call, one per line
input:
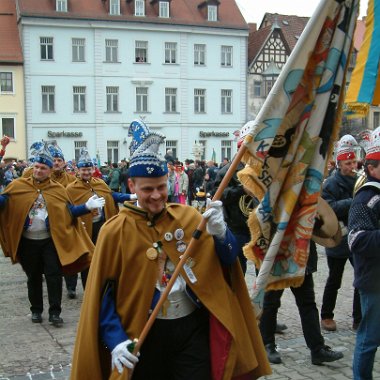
point(364, 243)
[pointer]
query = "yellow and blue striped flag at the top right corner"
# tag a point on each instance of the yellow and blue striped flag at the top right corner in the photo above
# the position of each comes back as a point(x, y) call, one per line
point(364, 88)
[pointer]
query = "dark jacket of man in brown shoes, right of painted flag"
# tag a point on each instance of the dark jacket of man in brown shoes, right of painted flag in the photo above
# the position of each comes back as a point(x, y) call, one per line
point(338, 191)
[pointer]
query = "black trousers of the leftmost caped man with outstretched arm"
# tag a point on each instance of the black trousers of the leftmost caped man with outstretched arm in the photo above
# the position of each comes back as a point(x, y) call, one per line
point(38, 257)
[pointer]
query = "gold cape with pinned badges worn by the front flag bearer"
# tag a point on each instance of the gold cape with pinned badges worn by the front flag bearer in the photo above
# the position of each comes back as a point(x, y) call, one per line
point(120, 256)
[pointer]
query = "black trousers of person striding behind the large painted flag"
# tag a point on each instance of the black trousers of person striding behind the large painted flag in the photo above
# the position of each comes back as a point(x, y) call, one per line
point(307, 308)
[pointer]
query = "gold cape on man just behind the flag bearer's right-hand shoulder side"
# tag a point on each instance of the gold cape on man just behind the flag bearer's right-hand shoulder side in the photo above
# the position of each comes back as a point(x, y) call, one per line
point(79, 191)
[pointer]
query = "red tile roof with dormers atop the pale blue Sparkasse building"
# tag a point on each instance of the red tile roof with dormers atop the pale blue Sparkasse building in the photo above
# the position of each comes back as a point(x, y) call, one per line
point(182, 12)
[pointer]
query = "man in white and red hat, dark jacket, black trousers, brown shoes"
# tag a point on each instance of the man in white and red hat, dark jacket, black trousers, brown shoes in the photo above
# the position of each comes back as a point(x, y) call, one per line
point(338, 190)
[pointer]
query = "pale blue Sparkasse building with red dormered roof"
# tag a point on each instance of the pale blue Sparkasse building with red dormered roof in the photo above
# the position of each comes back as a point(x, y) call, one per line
point(92, 66)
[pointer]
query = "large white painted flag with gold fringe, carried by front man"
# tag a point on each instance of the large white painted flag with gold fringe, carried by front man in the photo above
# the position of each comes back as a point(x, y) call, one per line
point(289, 143)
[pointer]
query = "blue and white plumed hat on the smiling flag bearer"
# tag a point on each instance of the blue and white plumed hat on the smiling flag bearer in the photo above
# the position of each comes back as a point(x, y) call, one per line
point(145, 160)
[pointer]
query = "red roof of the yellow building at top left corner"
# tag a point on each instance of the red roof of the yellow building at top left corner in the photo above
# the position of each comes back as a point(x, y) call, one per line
point(10, 46)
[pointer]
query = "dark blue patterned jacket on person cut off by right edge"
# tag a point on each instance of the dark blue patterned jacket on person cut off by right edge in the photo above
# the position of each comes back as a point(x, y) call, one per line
point(364, 237)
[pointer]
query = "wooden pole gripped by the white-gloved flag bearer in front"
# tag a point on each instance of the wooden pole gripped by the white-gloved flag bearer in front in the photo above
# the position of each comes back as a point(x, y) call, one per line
point(190, 249)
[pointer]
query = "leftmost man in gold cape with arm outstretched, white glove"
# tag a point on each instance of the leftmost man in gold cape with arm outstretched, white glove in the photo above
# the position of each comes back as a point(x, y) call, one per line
point(38, 228)
